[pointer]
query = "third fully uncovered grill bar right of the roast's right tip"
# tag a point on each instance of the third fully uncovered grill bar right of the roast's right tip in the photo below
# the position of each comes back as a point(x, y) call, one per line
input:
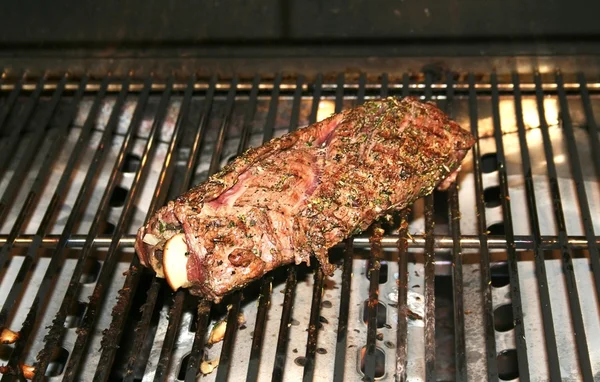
point(540, 261)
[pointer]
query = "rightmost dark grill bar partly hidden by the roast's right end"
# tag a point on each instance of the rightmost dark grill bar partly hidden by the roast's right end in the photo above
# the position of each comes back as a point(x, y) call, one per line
point(457, 264)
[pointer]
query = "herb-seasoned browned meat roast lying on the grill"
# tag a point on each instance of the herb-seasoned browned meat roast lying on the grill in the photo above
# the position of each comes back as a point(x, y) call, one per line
point(298, 195)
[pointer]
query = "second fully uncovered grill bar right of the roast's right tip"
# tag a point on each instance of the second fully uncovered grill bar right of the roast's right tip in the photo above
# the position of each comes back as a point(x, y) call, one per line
point(513, 271)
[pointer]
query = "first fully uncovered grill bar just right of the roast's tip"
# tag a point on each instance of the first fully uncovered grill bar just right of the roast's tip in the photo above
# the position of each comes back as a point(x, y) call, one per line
point(486, 279)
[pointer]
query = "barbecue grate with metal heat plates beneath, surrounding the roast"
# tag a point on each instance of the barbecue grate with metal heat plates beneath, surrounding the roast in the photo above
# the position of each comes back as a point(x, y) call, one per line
point(497, 277)
